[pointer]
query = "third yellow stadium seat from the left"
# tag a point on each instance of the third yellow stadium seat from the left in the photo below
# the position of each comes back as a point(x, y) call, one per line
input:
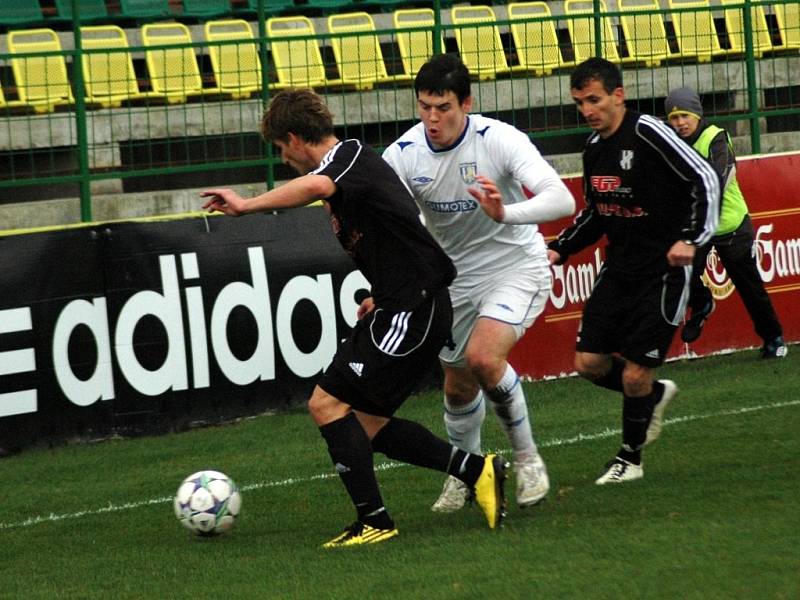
point(172, 64)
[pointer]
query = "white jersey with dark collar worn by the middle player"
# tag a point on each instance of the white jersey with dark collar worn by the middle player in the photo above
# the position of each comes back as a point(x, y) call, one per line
point(439, 179)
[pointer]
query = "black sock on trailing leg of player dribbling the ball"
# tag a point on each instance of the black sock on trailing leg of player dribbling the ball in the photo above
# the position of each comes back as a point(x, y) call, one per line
point(412, 443)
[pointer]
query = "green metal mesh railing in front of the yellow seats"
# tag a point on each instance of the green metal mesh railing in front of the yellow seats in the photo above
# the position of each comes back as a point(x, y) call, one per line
point(79, 144)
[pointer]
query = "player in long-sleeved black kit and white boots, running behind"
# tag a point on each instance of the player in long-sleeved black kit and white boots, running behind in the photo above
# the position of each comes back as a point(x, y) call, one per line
point(655, 200)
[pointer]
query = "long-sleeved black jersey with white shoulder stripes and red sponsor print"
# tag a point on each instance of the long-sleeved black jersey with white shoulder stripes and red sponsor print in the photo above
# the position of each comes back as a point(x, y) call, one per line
point(645, 189)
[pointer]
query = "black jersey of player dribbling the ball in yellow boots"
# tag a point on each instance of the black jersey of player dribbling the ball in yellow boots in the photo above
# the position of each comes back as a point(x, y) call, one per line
point(377, 222)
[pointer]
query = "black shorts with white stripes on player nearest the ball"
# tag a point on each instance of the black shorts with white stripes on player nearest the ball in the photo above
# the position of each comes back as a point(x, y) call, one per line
point(378, 366)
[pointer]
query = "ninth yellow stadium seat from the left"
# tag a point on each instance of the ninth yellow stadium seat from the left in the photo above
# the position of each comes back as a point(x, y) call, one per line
point(536, 42)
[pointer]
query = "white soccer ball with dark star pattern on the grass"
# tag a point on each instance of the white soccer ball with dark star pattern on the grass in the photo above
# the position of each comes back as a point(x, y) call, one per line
point(207, 503)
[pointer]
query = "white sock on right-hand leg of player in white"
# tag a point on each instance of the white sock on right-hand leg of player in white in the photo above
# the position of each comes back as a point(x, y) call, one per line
point(508, 401)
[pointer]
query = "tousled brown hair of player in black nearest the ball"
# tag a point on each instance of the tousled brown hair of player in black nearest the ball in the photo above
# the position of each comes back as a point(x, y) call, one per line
point(300, 111)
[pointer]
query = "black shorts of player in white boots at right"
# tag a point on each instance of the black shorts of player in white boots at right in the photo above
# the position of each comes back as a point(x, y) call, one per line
point(636, 317)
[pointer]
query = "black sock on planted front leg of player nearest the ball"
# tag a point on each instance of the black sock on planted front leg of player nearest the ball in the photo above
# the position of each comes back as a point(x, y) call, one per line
point(351, 453)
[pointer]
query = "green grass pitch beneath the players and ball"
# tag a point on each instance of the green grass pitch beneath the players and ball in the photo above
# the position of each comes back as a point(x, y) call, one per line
point(717, 514)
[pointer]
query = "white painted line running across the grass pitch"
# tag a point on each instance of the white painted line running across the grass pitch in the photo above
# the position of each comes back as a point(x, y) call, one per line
point(553, 443)
